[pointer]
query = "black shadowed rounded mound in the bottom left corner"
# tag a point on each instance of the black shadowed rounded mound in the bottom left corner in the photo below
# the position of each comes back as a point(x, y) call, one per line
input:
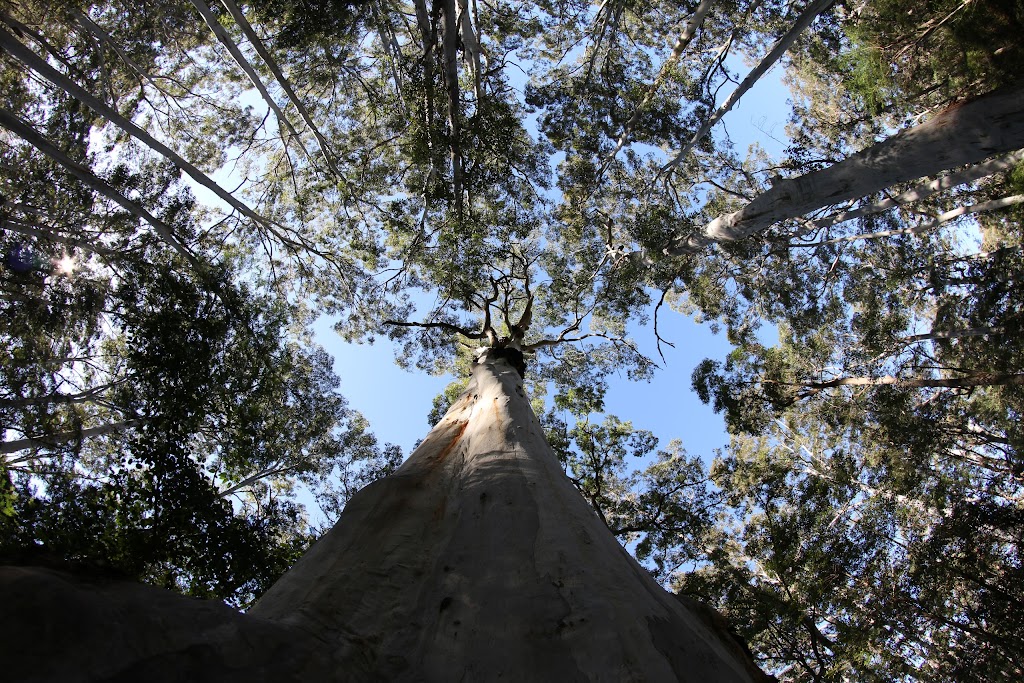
point(74, 629)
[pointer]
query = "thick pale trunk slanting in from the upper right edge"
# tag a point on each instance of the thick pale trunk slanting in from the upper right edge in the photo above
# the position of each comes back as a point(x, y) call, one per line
point(963, 135)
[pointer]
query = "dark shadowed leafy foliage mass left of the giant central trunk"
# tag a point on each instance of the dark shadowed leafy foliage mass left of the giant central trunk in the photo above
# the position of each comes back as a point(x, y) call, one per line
point(210, 397)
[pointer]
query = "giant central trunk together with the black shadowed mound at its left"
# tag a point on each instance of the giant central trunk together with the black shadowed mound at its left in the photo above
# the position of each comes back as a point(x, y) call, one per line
point(477, 562)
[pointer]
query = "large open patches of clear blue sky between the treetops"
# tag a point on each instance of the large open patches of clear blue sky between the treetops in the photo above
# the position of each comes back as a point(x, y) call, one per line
point(397, 402)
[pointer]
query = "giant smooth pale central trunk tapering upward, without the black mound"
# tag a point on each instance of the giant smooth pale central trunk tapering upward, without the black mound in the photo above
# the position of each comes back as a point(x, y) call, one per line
point(479, 561)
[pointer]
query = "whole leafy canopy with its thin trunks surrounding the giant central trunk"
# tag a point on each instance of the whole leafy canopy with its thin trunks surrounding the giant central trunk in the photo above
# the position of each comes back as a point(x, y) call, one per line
point(186, 187)
